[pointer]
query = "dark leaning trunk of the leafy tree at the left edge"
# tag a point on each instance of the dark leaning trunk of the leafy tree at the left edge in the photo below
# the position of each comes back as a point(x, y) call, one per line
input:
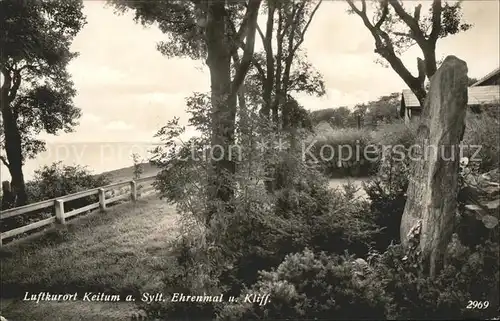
point(13, 150)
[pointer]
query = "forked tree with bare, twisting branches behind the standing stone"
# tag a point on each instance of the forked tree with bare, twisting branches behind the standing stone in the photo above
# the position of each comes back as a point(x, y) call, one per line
point(395, 29)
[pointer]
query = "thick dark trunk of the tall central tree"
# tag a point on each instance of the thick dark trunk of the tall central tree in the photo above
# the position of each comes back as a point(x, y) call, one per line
point(223, 106)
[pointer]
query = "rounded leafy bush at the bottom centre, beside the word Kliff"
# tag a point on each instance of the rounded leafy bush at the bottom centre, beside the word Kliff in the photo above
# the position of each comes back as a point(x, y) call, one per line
point(312, 286)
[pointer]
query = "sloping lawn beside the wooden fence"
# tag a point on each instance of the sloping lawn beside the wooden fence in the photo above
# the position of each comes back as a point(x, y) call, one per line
point(122, 251)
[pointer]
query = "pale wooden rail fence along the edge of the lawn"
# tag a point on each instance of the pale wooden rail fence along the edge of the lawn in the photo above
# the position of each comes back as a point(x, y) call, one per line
point(58, 214)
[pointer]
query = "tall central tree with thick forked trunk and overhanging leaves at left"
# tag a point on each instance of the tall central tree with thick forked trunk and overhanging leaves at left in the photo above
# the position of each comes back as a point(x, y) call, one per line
point(213, 30)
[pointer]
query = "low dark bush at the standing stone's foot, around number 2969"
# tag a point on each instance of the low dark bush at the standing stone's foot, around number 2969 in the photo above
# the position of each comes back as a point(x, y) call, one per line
point(471, 274)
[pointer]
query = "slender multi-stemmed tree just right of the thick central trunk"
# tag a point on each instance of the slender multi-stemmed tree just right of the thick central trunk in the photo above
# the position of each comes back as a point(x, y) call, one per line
point(282, 68)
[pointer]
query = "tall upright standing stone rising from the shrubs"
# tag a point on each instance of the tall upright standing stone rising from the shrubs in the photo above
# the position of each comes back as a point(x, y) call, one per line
point(432, 192)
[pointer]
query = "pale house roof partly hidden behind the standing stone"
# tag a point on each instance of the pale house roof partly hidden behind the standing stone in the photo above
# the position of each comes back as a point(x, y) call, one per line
point(481, 95)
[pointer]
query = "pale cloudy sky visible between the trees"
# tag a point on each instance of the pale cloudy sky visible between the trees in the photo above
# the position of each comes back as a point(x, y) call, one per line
point(127, 90)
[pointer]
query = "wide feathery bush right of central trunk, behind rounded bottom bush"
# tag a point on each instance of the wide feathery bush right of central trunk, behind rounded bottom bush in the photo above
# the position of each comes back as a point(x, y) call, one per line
point(264, 229)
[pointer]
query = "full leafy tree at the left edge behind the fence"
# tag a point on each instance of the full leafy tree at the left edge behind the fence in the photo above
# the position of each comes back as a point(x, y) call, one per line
point(36, 91)
